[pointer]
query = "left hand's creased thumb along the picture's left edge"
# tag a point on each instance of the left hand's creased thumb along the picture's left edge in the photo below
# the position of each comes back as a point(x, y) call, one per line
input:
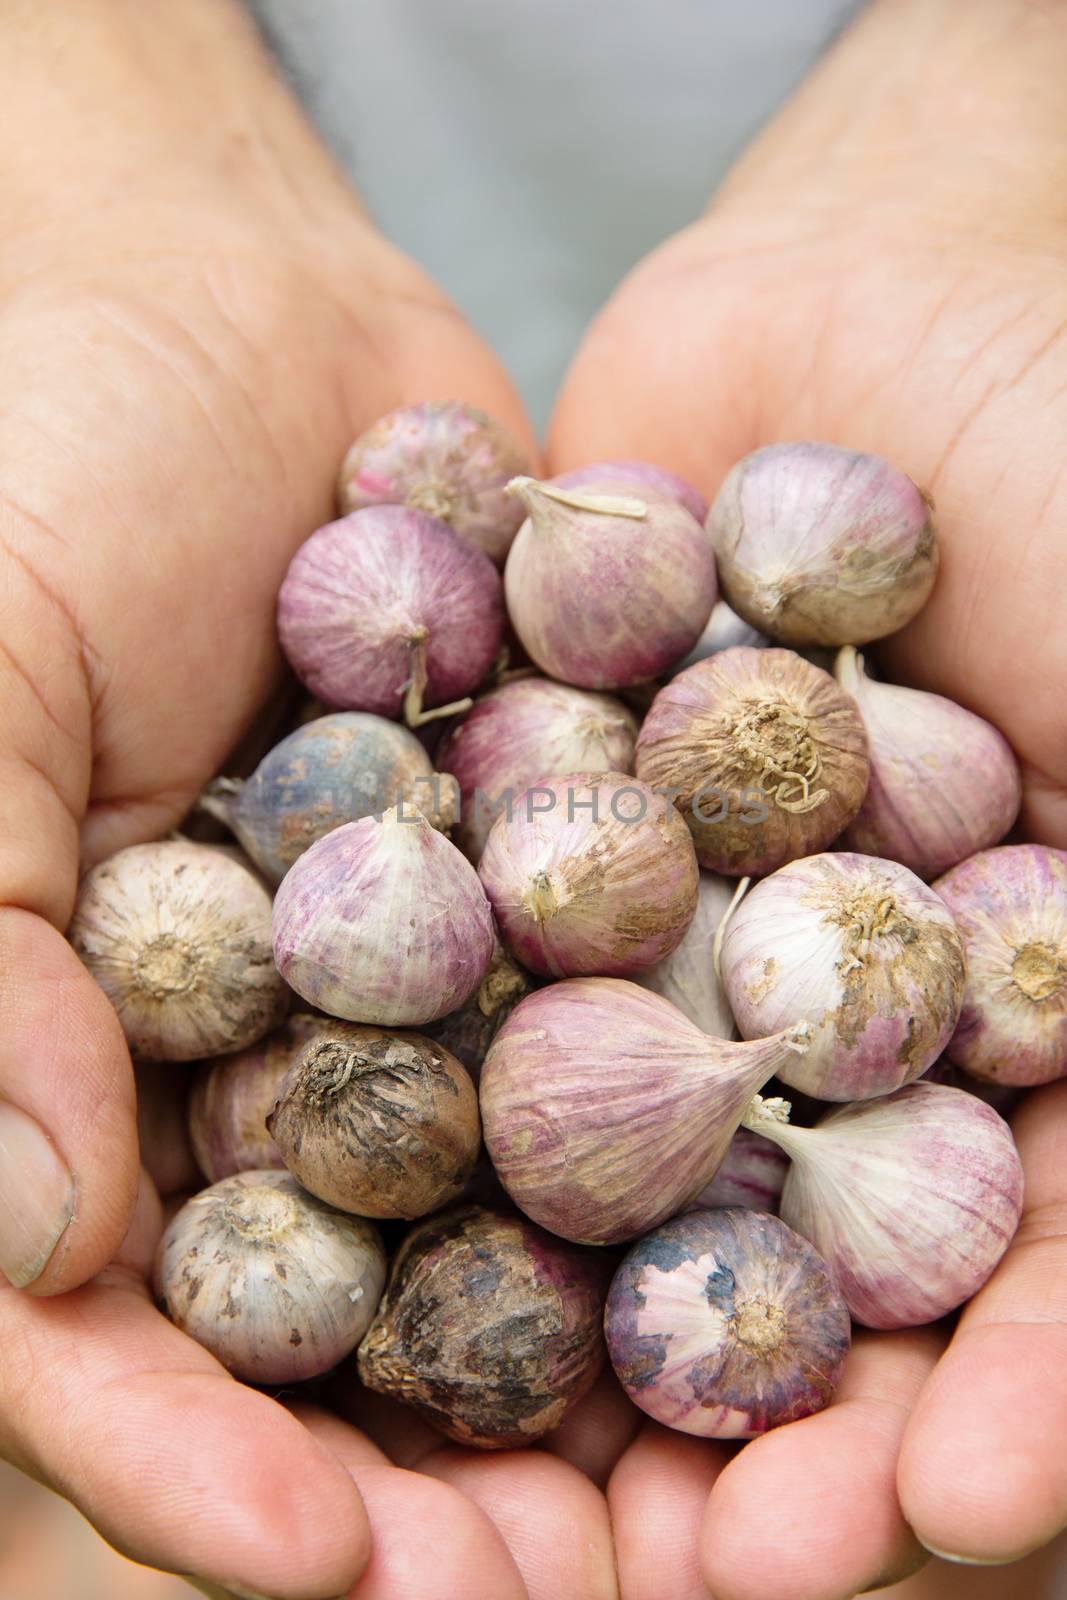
point(68, 1138)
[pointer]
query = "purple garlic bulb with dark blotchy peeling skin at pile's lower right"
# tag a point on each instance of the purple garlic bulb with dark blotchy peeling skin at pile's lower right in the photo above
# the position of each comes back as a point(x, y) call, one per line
point(727, 1324)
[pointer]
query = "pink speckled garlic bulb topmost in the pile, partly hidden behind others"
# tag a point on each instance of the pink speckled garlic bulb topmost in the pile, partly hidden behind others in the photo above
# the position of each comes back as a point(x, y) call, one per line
point(442, 458)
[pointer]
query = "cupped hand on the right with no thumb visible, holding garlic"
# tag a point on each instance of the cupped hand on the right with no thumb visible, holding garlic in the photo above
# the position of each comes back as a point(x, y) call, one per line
point(884, 270)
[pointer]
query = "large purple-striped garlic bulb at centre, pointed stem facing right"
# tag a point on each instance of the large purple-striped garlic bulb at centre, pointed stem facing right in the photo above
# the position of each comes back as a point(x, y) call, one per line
point(607, 1111)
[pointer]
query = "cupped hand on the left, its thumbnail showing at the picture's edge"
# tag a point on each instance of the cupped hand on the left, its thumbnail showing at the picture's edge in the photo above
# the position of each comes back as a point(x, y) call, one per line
point(196, 321)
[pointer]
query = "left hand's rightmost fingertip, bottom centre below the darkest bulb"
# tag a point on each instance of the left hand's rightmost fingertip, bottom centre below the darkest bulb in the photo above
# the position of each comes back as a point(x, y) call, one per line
point(551, 1518)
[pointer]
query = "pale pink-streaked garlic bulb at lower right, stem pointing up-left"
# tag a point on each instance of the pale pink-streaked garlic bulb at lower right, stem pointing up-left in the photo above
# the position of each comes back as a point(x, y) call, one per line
point(913, 1199)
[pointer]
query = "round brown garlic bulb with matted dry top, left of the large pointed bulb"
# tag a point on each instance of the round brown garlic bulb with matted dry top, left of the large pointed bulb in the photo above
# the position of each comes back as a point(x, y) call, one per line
point(378, 1124)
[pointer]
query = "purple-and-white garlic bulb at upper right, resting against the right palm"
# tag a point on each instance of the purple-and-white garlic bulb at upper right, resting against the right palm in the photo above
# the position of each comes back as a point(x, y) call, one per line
point(818, 545)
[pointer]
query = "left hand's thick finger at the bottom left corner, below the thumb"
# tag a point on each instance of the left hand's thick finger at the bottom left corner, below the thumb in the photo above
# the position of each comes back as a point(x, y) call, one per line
point(177, 1465)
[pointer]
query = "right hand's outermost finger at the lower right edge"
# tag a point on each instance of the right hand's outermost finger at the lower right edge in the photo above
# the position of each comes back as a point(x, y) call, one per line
point(983, 1471)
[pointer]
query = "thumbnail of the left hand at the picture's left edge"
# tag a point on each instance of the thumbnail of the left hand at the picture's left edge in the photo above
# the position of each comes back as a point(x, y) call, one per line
point(36, 1198)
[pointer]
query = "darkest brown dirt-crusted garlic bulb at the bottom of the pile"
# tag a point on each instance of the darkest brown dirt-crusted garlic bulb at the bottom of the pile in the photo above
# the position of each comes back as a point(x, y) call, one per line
point(490, 1327)
